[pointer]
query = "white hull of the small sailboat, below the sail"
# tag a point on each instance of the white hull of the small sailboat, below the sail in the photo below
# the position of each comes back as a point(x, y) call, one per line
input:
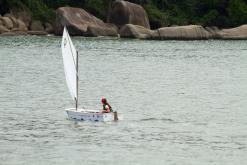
point(90, 115)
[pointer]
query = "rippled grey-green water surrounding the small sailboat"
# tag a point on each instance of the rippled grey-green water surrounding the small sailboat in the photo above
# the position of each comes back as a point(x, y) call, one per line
point(181, 102)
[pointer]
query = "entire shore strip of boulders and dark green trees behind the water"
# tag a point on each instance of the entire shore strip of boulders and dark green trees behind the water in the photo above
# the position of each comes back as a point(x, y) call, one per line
point(142, 19)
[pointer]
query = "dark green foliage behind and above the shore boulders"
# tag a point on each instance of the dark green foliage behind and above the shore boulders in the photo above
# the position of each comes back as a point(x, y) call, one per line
point(222, 13)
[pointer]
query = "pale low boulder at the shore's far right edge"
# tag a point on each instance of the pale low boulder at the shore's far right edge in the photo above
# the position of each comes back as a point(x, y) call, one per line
point(234, 33)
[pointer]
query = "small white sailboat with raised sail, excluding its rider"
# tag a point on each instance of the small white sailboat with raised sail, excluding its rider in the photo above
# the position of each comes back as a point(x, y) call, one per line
point(70, 61)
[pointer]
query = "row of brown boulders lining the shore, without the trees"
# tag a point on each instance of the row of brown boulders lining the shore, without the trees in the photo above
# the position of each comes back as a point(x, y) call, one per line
point(125, 19)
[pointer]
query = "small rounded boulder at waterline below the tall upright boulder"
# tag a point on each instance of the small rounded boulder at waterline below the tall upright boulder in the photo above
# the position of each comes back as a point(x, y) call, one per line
point(136, 31)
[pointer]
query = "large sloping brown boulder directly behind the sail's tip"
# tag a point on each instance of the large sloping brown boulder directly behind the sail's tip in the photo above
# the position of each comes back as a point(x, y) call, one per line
point(76, 20)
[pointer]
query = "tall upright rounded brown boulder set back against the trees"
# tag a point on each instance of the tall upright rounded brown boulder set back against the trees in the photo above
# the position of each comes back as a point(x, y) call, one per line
point(124, 12)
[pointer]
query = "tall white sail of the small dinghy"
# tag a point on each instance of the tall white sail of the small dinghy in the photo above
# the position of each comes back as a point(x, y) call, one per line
point(69, 61)
